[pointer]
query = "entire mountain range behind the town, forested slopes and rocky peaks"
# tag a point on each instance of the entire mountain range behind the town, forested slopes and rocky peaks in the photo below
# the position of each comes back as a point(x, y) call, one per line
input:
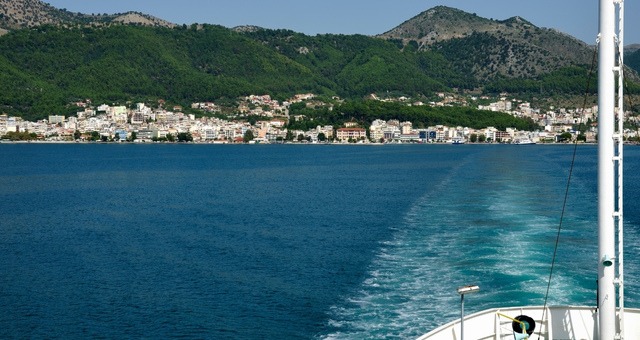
point(51, 58)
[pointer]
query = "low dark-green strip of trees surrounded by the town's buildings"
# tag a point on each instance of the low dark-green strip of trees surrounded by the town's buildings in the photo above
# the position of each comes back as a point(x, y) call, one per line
point(366, 111)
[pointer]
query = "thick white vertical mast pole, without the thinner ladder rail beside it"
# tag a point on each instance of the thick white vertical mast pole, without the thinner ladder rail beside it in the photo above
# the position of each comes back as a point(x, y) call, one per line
point(606, 173)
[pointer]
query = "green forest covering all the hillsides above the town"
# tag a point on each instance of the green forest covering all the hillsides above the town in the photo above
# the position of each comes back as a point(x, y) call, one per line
point(43, 70)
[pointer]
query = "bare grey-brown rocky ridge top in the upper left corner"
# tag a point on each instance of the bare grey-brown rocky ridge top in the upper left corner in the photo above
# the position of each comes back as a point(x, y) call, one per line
point(18, 14)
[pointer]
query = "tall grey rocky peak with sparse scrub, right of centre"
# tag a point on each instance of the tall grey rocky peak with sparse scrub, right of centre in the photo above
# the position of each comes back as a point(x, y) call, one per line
point(489, 48)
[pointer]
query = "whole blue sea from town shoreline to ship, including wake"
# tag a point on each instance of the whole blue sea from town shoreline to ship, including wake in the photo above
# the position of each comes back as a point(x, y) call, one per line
point(121, 241)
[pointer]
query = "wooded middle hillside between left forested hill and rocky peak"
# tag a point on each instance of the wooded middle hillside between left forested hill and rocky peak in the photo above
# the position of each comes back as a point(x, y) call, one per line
point(356, 65)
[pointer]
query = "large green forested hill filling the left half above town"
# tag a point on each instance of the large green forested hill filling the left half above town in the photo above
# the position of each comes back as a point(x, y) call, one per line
point(44, 69)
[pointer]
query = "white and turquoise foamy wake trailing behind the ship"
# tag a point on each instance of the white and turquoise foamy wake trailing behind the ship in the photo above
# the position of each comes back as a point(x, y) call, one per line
point(495, 229)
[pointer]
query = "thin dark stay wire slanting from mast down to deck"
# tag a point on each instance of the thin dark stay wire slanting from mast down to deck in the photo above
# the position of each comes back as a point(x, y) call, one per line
point(566, 193)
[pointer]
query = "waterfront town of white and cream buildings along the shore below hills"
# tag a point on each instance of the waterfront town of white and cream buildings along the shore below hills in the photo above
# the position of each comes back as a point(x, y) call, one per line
point(140, 123)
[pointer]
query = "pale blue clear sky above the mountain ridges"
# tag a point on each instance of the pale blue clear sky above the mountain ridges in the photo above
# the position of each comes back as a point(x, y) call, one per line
point(575, 17)
